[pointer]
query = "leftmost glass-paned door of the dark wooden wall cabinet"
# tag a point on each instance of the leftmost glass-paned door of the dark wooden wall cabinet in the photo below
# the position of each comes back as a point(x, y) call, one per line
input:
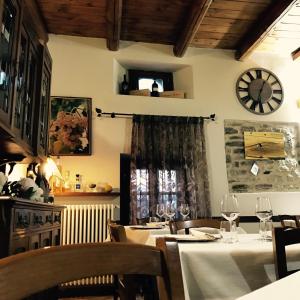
point(10, 19)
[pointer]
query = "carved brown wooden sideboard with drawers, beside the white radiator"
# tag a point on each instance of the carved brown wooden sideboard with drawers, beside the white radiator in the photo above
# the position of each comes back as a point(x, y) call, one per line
point(27, 225)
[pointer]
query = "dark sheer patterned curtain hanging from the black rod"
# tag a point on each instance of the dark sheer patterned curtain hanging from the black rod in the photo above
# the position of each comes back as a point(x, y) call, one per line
point(168, 163)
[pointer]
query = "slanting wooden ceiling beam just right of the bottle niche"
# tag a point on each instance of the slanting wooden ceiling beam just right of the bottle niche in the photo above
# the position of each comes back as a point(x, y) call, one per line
point(198, 11)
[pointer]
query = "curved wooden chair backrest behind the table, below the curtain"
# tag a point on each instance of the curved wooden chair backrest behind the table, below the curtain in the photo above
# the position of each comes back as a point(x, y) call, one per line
point(187, 224)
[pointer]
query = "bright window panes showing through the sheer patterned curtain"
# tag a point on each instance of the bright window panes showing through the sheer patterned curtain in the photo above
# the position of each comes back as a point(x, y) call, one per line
point(167, 186)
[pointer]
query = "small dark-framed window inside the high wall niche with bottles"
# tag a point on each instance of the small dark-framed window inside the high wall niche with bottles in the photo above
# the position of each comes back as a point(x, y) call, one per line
point(139, 79)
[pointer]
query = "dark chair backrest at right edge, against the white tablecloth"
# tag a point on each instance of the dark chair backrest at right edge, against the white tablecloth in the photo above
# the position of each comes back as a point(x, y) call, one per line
point(283, 237)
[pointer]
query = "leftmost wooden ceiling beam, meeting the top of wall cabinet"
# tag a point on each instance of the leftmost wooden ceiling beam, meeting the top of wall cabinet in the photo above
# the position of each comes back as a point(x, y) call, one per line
point(33, 14)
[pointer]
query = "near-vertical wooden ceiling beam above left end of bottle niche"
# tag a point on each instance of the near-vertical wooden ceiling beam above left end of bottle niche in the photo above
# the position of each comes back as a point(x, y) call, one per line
point(114, 23)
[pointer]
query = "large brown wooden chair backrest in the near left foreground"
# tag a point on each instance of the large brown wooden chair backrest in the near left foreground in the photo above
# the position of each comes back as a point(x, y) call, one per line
point(34, 271)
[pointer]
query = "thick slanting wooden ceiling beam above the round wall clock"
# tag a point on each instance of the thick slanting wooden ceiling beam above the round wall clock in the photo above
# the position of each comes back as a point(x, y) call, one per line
point(262, 27)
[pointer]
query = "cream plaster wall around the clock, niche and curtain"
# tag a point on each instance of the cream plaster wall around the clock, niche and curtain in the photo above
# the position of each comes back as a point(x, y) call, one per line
point(84, 67)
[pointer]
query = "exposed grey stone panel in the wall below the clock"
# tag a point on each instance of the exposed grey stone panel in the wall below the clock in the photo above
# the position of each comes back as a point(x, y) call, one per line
point(274, 175)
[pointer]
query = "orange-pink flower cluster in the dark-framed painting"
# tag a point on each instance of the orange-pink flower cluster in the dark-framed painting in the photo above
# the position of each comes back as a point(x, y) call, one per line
point(68, 131)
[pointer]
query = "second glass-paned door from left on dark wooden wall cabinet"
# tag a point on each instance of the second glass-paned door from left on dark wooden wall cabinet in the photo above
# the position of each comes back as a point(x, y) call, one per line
point(21, 86)
